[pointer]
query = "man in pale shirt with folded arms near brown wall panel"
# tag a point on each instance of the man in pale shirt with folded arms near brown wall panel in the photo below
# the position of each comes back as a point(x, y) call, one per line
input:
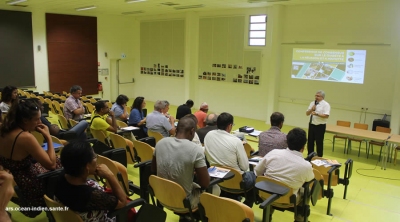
point(73, 107)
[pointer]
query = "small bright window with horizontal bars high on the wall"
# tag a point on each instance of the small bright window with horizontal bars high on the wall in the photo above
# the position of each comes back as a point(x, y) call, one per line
point(257, 32)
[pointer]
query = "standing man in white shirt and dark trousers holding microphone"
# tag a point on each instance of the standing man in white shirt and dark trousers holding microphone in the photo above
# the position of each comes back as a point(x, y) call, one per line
point(319, 111)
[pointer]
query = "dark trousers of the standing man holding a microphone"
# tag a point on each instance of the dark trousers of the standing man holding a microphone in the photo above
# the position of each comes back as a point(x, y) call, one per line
point(316, 133)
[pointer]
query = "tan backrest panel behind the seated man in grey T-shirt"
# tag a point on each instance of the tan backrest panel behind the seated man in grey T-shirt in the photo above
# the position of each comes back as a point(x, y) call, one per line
point(169, 193)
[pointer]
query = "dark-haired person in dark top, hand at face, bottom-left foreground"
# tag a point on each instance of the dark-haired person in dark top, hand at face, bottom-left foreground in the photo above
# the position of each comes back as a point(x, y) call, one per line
point(87, 197)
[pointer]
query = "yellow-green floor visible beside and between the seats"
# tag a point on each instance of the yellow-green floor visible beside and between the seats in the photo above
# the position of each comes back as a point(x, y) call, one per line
point(369, 198)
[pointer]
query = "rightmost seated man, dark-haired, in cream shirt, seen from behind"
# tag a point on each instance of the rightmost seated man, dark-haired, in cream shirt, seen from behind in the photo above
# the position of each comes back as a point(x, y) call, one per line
point(288, 165)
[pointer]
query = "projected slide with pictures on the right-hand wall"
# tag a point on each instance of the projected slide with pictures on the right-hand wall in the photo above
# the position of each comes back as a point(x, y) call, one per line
point(329, 65)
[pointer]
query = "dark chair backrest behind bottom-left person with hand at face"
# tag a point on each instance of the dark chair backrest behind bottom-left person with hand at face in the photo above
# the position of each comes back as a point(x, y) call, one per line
point(61, 215)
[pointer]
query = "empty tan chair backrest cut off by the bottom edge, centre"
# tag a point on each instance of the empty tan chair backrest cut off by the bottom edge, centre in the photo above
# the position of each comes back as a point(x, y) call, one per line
point(224, 209)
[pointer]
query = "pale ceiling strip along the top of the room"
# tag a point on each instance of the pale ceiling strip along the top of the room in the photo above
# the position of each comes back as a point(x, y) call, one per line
point(149, 7)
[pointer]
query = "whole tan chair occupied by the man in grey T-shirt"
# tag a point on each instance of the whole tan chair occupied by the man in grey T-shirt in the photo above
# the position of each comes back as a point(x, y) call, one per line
point(170, 195)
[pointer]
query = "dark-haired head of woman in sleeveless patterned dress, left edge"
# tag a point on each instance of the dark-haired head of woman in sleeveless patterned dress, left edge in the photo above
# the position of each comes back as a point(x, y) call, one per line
point(25, 115)
